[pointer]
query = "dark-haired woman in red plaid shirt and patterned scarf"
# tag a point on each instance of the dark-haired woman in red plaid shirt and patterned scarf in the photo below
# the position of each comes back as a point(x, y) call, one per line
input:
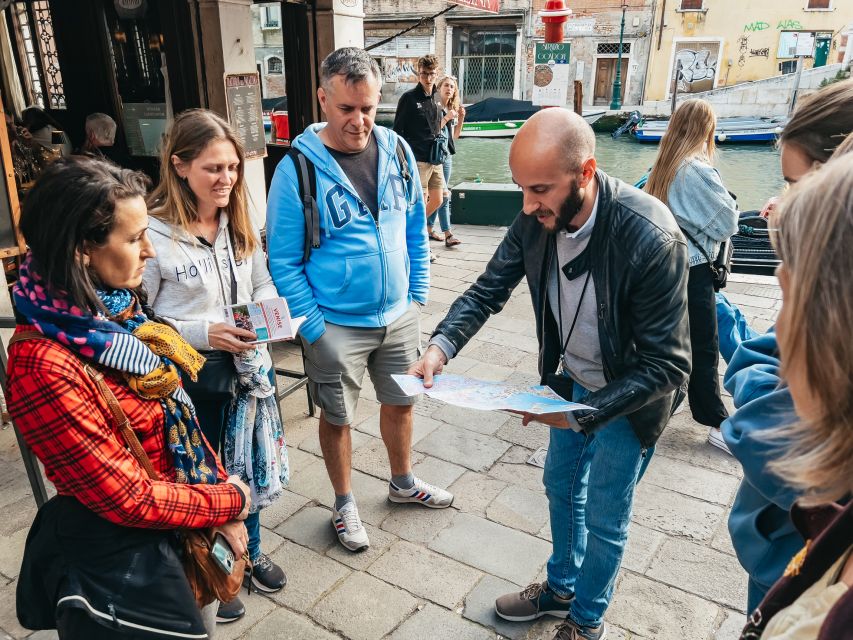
point(101, 557)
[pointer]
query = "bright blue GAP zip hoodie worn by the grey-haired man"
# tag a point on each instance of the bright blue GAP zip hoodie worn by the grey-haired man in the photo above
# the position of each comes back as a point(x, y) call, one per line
point(366, 272)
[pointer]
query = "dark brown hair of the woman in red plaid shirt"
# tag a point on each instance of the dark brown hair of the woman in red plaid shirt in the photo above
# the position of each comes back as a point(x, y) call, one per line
point(72, 206)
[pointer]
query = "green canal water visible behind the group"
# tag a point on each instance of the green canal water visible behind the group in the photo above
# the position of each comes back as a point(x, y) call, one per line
point(751, 172)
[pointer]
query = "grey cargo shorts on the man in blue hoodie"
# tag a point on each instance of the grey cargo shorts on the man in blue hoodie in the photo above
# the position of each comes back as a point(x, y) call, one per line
point(335, 364)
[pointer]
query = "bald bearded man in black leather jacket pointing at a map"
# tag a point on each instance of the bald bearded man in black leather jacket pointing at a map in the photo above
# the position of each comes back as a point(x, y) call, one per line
point(607, 270)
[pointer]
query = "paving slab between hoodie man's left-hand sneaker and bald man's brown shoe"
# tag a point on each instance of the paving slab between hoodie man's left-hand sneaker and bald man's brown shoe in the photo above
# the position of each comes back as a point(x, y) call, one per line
point(425, 574)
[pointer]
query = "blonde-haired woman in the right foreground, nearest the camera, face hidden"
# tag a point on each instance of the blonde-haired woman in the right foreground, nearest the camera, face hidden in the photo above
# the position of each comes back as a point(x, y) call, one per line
point(813, 599)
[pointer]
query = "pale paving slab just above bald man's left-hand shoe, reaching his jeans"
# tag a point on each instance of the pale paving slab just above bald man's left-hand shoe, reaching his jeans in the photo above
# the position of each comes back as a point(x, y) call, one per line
point(492, 548)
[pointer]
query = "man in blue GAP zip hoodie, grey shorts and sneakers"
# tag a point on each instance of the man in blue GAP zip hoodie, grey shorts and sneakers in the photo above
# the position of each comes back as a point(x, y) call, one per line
point(360, 289)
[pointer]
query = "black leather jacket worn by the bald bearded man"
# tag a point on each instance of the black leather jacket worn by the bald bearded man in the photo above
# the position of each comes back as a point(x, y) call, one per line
point(638, 259)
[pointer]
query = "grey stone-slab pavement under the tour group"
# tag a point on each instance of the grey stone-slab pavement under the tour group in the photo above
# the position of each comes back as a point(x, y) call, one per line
point(435, 574)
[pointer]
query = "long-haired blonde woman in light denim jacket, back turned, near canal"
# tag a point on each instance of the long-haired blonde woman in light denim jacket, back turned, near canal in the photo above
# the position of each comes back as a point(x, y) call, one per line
point(684, 179)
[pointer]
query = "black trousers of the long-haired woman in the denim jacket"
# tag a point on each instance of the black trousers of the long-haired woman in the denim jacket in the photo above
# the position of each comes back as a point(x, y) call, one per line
point(703, 392)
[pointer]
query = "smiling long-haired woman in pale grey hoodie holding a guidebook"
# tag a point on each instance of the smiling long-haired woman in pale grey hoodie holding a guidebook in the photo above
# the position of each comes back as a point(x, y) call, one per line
point(209, 256)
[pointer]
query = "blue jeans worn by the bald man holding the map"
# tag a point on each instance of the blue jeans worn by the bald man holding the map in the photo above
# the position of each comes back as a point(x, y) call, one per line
point(599, 469)
